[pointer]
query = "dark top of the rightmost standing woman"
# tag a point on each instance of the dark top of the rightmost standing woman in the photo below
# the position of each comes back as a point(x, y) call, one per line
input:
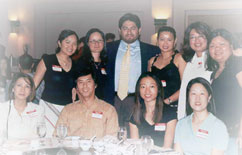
point(228, 94)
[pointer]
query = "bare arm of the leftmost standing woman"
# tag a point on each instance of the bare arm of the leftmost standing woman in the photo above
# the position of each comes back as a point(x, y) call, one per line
point(39, 74)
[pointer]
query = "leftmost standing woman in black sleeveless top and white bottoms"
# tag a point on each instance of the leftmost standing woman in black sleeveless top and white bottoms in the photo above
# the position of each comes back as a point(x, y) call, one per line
point(57, 70)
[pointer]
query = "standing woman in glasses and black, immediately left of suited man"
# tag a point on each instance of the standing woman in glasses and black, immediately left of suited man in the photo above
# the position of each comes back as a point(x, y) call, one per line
point(94, 57)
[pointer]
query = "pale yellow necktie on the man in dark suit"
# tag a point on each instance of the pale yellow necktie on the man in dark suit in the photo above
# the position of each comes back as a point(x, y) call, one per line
point(124, 75)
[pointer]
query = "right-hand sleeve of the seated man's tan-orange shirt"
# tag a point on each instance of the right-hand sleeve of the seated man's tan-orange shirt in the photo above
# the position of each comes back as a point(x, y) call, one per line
point(112, 122)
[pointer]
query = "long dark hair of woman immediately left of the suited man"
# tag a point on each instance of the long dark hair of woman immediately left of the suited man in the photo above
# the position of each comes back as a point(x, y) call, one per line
point(87, 55)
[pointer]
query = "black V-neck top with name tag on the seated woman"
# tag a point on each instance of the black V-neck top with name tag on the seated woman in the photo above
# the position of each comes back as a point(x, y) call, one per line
point(157, 135)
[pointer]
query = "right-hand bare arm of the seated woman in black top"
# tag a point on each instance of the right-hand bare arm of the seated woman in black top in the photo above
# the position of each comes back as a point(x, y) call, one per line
point(169, 133)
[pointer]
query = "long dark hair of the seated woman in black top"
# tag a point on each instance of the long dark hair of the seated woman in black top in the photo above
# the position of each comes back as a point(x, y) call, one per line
point(139, 108)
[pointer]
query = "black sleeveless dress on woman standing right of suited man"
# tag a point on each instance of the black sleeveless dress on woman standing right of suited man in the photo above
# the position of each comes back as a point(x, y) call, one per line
point(170, 79)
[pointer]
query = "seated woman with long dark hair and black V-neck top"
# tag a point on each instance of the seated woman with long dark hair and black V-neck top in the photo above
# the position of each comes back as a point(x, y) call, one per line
point(148, 117)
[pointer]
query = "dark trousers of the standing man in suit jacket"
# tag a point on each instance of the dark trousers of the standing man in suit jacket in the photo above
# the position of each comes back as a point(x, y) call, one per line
point(124, 108)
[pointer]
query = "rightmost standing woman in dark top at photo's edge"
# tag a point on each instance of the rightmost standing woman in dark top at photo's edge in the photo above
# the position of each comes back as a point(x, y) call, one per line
point(226, 81)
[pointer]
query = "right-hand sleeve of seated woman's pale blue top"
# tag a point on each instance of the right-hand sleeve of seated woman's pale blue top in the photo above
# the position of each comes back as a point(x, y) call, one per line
point(220, 136)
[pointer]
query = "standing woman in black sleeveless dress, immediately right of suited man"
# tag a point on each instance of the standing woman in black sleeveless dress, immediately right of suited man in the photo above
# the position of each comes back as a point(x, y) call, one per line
point(168, 66)
